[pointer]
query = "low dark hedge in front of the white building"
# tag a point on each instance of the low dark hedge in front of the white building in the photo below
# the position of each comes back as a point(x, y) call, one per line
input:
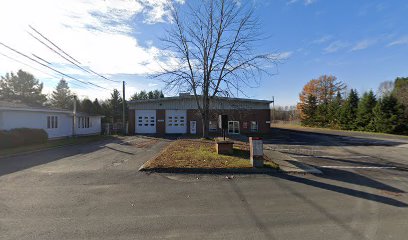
point(22, 136)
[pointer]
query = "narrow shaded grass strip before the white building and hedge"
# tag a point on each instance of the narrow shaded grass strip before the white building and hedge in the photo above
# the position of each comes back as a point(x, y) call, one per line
point(51, 144)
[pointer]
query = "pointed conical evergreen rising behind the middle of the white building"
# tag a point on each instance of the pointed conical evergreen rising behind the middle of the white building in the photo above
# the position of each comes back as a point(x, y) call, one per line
point(62, 96)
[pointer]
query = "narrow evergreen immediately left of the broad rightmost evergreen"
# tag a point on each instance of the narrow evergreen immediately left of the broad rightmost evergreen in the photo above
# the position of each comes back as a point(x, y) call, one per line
point(365, 115)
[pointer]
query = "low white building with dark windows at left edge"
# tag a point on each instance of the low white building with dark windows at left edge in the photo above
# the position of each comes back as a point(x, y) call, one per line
point(56, 122)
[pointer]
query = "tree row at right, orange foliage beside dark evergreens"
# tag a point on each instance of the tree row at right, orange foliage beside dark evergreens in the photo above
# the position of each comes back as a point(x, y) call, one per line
point(324, 102)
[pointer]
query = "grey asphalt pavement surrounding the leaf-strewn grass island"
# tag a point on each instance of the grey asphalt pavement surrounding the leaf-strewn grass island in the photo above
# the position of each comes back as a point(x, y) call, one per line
point(96, 192)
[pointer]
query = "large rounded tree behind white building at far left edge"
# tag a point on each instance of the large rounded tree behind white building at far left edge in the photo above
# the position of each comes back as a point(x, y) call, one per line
point(22, 87)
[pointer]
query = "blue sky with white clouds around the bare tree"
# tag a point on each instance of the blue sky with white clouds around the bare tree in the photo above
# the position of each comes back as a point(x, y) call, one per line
point(361, 42)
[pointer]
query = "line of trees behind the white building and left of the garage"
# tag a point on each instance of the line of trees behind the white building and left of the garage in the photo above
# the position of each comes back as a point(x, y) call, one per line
point(25, 88)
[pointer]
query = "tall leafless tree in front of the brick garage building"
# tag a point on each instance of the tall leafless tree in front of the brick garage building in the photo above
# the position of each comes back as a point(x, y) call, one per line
point(212, 45)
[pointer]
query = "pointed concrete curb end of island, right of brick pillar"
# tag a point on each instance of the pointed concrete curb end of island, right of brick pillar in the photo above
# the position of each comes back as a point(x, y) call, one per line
point(289, 164)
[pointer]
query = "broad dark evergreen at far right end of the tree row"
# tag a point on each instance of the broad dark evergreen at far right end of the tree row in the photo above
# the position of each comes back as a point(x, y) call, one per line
point(389, 116)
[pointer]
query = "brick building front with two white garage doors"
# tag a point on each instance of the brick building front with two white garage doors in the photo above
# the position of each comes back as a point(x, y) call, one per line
point(180, 115)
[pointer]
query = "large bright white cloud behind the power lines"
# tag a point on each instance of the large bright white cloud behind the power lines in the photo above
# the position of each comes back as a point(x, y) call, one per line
point(100, 34)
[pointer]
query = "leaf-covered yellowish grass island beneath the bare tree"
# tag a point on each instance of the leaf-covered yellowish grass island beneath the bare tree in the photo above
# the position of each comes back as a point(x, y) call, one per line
point(200, 154)
